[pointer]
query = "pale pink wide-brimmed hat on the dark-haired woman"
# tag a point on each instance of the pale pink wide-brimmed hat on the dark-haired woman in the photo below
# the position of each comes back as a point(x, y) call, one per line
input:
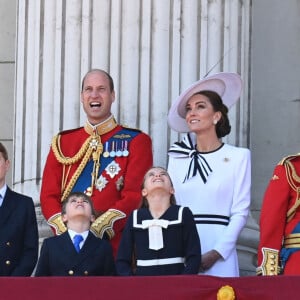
point(227, 85)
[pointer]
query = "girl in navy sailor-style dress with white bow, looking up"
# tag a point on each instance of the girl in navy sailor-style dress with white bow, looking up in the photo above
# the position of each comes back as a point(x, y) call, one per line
point(161, 237)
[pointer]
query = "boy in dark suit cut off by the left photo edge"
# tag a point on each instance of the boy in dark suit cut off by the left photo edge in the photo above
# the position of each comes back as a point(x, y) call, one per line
point(18, 227)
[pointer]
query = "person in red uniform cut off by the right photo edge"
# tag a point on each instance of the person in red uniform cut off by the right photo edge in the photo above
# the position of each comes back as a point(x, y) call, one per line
point(279, 246)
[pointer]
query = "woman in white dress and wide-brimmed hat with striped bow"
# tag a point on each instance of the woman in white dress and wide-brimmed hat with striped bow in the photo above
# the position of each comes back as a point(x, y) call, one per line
point(212, 178)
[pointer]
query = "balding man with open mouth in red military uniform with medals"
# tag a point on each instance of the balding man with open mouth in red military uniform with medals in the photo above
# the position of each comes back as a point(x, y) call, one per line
point(103, 159)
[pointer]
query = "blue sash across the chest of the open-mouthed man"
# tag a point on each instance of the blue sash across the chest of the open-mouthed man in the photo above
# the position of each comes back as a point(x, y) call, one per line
point(116, 146)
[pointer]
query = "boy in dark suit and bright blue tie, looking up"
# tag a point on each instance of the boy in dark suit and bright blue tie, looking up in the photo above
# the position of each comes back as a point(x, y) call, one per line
point(76, 252)
